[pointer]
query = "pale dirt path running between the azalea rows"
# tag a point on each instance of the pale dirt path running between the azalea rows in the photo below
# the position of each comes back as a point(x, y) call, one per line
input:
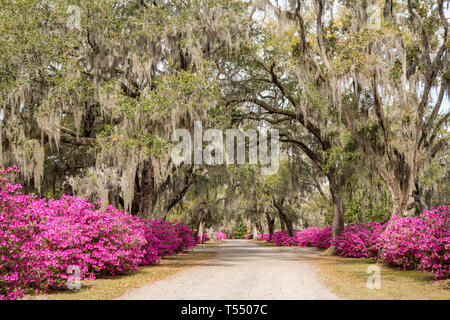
point(242, 270)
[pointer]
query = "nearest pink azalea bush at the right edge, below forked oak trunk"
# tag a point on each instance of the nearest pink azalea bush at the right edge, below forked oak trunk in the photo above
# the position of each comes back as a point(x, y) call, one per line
point(421, 243)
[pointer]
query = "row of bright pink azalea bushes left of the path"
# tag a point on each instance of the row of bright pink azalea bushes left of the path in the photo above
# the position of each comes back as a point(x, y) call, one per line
point(40, 239)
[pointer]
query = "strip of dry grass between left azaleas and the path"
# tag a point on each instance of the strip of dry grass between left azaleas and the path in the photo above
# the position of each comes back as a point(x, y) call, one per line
point(106, 288)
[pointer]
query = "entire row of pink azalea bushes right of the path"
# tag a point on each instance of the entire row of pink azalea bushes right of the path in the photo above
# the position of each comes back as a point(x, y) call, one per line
point(417, 243)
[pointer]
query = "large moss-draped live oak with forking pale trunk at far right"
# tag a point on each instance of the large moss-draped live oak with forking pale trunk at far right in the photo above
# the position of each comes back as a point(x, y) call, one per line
point(385, 68)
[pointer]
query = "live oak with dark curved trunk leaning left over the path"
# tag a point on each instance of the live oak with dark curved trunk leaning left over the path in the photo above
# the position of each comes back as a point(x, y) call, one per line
point(269, 82)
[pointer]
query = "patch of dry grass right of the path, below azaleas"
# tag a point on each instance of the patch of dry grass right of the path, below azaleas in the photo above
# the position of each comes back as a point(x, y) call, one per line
point(347, 278)
